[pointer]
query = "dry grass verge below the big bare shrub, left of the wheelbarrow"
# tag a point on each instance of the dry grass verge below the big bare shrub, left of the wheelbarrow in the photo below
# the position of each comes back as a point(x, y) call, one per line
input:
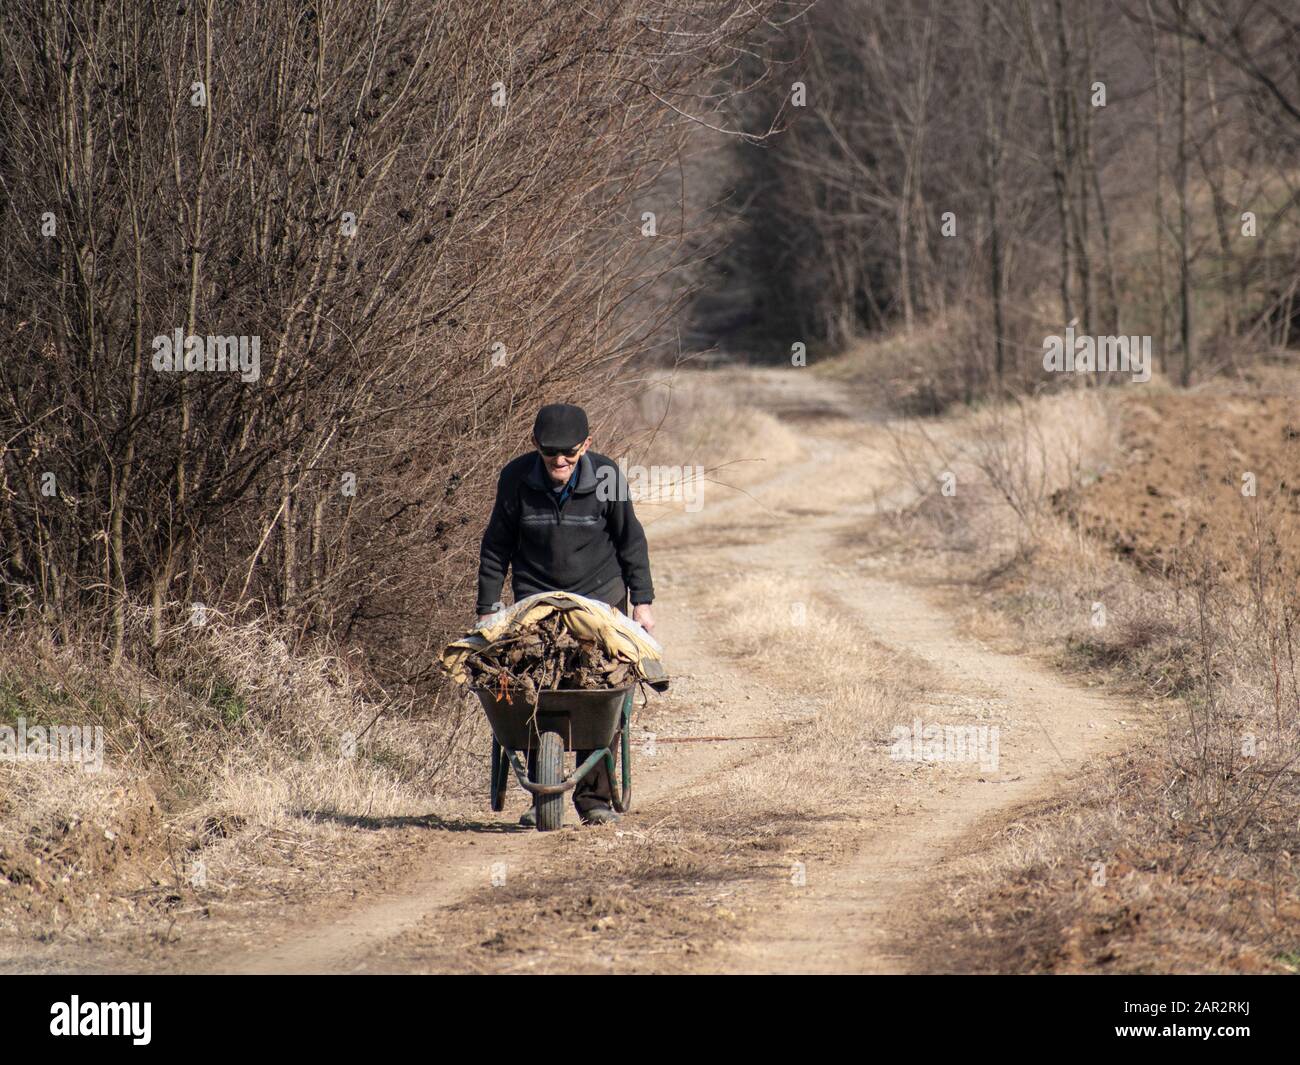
point(232, 765)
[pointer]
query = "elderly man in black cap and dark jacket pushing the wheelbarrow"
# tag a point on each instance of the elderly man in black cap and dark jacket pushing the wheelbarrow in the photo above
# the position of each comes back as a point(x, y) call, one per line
point(558, 527)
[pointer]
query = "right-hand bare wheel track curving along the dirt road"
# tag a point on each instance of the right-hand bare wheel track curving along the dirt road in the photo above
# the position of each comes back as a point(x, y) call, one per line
point(857, 916)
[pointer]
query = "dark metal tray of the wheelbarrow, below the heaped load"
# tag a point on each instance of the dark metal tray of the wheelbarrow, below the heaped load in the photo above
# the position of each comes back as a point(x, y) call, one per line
point(587, 720)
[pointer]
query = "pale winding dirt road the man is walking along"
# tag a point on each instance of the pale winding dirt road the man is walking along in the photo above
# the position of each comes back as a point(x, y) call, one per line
point(682, 885)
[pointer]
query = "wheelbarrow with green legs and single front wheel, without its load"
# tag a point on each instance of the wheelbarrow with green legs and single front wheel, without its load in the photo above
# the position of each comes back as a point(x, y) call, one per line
point(565, 720)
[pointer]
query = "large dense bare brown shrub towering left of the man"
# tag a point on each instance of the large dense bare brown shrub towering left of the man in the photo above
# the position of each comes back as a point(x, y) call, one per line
point(431, 220)
